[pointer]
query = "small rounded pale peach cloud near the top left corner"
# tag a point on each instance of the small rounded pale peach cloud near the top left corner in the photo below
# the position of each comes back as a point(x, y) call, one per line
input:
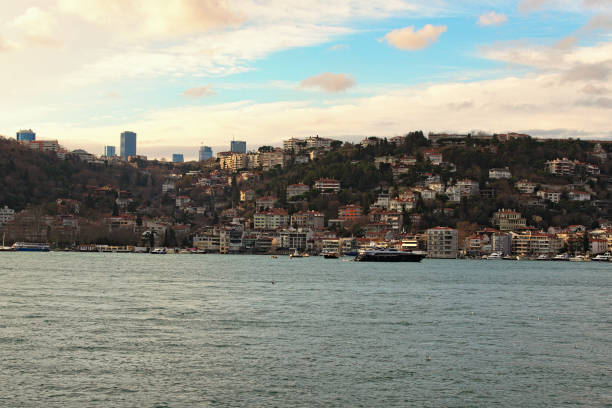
point(37, 27)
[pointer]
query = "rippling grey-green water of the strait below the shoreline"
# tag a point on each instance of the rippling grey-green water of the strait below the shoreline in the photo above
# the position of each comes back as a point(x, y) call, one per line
point(100, 330)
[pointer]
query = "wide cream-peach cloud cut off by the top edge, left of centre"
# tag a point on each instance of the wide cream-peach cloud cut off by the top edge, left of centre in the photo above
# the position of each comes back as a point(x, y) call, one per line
point(154, 18)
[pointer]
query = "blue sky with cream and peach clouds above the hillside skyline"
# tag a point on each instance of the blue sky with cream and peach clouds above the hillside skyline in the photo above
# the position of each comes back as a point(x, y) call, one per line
point(182, 73)
